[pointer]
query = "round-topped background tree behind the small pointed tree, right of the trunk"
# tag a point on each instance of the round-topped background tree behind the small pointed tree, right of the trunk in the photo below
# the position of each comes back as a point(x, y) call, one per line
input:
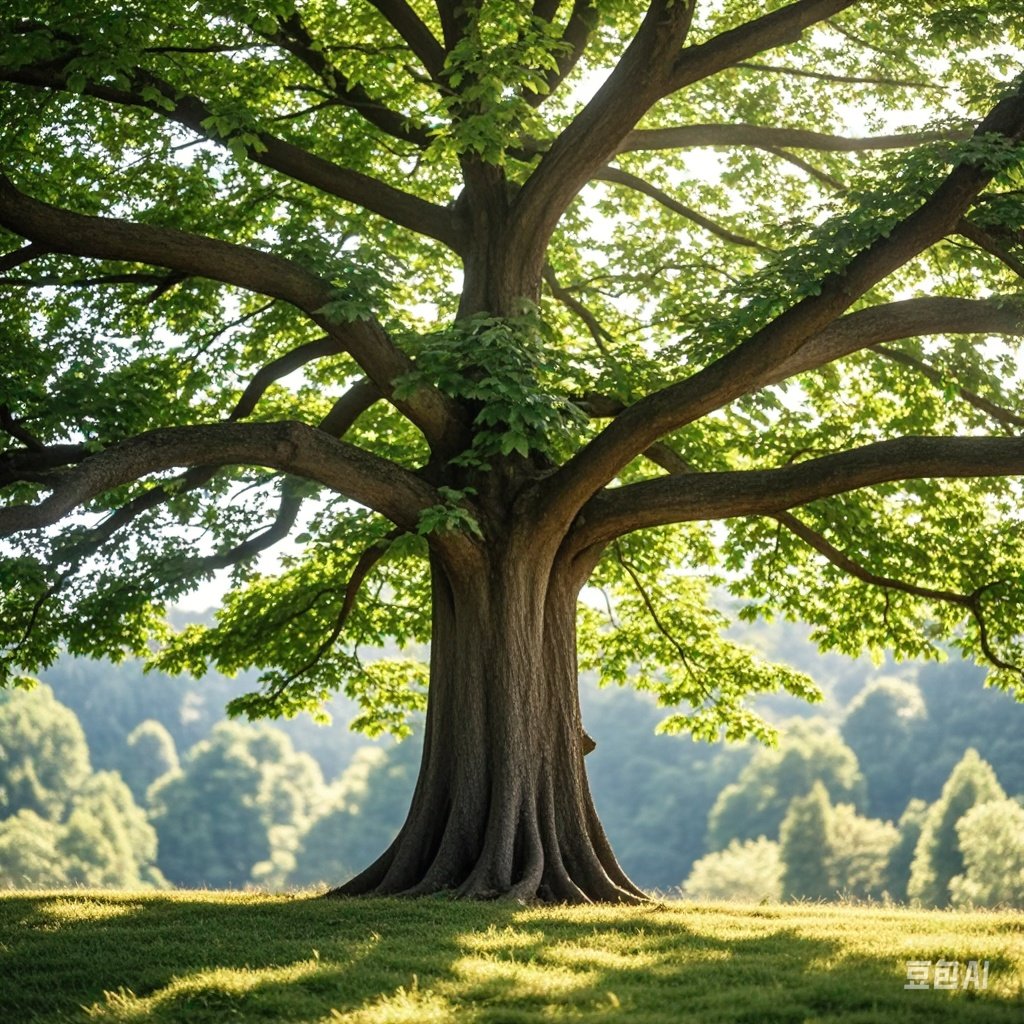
point(756, 804)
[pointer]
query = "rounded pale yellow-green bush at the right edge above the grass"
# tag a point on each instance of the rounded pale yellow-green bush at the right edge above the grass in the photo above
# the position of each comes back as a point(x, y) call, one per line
point(992, 840)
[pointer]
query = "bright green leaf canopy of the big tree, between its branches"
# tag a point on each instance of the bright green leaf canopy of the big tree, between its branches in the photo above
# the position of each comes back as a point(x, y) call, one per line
point(102, 351)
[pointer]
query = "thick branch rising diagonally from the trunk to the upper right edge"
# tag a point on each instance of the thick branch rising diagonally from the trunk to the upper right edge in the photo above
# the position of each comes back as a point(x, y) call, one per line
point(757, 361)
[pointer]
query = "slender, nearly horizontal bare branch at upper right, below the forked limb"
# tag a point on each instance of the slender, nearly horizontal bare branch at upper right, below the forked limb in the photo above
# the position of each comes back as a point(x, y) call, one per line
point(763, 137)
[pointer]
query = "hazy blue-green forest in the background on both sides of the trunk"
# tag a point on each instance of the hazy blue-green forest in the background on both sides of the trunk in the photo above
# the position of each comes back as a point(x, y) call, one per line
point(905, 785)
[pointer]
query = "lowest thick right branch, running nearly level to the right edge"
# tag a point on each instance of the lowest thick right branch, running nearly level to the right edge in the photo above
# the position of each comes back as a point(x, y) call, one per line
point(726, 495)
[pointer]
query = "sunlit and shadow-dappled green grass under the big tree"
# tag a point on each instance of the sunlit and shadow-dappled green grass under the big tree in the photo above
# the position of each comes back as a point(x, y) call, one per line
point(208, 957)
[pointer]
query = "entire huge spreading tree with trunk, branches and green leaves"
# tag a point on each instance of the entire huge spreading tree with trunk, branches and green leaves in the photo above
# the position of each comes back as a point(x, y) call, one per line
point(485, 302)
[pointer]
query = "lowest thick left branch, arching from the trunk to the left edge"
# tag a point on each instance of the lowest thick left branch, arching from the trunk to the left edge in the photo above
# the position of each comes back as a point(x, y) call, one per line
point(290, 447)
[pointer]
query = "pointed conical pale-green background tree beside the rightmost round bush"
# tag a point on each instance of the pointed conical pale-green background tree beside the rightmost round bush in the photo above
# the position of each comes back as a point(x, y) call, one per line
point(938, 858)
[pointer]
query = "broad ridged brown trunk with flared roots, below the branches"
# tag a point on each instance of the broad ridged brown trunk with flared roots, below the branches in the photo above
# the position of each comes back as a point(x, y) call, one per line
point(502, 807)
